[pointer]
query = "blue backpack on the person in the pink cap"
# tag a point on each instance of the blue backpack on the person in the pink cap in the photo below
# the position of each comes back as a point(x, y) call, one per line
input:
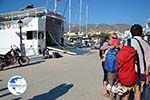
point(110, 60)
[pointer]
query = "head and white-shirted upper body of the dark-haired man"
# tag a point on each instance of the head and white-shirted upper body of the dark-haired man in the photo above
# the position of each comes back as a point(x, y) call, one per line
point(137, 31)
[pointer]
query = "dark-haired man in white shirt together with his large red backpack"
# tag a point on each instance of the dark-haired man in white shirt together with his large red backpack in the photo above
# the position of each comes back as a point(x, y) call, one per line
point(133, 62)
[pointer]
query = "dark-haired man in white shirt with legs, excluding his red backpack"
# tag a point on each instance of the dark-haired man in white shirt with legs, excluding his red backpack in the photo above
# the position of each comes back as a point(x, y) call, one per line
point(137, 32)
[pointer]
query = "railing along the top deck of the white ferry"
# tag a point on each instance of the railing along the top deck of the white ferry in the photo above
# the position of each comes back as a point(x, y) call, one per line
point(34, 12)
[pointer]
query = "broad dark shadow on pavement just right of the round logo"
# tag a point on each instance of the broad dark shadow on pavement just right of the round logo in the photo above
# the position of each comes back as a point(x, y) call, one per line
point(54, 93)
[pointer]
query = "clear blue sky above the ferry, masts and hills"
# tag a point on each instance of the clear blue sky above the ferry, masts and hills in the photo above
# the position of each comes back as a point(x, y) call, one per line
point(99, 12)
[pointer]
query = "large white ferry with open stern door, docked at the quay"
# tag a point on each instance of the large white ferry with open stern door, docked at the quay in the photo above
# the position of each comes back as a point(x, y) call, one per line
point(41, 28)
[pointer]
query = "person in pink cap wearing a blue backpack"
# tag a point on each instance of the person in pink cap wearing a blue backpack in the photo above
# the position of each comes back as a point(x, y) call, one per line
point(109, 66)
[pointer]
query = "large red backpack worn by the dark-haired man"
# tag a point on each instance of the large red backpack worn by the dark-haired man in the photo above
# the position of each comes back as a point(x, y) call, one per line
point(126, 59)
